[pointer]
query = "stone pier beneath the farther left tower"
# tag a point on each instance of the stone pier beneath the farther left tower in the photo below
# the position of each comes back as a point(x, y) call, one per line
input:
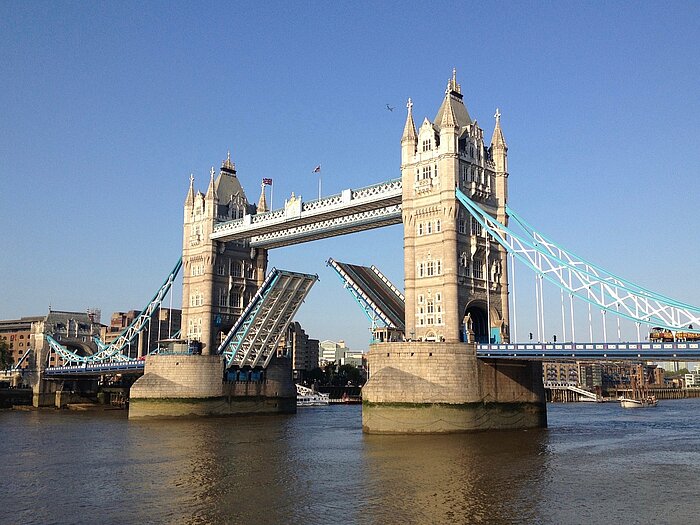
point(181, 385)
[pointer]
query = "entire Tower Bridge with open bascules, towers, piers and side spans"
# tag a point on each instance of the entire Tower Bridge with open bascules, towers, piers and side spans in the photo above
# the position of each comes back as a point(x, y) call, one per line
point(444, 358)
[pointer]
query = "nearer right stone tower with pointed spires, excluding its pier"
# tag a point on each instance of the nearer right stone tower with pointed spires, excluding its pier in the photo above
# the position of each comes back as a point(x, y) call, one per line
point(452, 271)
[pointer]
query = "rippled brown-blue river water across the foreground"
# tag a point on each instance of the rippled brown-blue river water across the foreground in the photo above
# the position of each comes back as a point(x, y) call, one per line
point(596, 463)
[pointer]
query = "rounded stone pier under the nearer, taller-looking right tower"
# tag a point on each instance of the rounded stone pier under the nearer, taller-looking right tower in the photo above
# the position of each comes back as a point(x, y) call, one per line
point(428, 387)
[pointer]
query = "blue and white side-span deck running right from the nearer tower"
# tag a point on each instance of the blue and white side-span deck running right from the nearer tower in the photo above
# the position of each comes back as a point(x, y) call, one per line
point(595, 351)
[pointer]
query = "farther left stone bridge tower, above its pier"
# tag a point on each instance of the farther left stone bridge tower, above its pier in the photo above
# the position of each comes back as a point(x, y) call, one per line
point(219, 278)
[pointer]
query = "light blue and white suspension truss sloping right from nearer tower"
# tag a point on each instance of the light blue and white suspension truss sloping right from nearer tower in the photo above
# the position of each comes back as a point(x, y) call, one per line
point(582, 279)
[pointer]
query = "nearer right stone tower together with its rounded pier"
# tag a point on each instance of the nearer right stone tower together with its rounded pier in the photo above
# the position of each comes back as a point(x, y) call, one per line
point(456, 291)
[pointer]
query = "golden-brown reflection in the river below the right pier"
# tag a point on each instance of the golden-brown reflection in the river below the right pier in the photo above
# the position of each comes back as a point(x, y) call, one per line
point(472, 478)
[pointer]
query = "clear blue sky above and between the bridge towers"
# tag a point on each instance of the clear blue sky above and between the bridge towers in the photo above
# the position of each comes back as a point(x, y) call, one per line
point(107, 107)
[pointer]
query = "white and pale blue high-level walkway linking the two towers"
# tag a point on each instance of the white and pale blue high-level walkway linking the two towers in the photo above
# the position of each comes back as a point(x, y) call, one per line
point(350, 211)
